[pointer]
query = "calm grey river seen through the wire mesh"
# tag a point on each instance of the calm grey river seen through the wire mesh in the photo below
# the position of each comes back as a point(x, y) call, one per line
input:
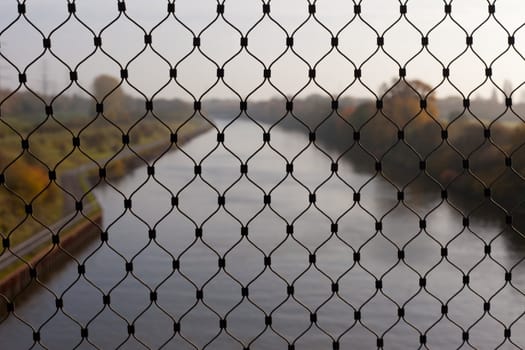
point(175, 238)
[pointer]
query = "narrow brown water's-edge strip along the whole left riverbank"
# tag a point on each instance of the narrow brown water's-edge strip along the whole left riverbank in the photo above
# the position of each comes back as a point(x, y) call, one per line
point(47, 254)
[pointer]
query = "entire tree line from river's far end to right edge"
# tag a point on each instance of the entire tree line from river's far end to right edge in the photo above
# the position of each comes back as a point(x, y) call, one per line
point(479, 159)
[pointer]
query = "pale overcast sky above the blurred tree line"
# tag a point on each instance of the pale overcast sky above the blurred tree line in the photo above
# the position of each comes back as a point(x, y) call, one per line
point(220, 42)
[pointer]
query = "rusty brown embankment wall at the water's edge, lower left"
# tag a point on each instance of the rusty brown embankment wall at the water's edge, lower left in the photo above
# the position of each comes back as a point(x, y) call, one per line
point(49, 258)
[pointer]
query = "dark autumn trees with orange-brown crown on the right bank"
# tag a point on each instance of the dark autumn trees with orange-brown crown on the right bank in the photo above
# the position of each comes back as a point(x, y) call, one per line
point(477, 161)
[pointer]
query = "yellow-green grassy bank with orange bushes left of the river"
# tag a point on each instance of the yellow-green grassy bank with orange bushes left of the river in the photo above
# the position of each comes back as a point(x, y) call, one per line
point(41, 184)
